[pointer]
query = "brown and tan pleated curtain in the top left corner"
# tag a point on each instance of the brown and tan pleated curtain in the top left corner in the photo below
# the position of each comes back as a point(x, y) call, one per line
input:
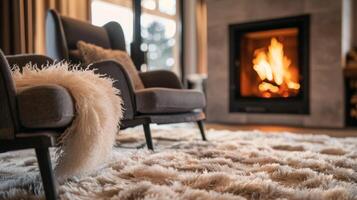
point(22, 22)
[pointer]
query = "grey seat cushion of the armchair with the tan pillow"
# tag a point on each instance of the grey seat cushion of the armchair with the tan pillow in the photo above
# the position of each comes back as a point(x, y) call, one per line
point(165, 100)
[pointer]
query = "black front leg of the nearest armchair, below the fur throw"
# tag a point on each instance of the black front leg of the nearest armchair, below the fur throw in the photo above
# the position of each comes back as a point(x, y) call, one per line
point(48, 181)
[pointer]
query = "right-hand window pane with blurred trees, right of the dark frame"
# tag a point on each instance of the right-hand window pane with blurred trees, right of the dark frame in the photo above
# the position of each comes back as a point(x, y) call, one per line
point(160, 38)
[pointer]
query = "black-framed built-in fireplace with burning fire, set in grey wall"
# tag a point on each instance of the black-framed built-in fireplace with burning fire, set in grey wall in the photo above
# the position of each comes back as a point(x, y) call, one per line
point(269, 66)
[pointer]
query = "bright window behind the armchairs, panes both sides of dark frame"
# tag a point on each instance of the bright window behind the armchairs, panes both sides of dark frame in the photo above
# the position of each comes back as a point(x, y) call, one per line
point(159, 28)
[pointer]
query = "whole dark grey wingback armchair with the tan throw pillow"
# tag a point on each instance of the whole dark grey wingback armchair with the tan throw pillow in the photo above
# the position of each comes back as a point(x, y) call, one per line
point(162, 101)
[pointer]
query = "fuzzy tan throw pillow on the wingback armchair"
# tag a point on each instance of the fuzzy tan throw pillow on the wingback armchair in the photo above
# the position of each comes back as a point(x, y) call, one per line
point(92, 53)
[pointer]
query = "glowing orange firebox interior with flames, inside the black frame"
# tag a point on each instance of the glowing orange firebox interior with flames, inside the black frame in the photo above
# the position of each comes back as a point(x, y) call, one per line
point(275, 72)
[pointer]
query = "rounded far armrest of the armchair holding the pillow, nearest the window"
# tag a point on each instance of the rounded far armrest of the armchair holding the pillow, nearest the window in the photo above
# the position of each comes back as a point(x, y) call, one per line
point(160, 78)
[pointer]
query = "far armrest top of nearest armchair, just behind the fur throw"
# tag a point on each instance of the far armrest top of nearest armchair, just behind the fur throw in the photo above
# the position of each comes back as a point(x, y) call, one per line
point(23, 59)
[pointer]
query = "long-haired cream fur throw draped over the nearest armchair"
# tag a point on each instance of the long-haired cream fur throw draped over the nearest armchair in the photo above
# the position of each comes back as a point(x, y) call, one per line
point(88, 142)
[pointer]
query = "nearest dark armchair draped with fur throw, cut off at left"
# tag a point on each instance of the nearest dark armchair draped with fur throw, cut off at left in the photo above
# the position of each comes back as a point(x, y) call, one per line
point(33, 117)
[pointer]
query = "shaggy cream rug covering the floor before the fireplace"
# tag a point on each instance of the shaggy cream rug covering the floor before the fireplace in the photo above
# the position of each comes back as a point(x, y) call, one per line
point(232, 165)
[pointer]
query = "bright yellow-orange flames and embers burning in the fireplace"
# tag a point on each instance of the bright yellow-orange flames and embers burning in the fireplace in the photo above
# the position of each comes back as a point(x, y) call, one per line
point(272, 68)
